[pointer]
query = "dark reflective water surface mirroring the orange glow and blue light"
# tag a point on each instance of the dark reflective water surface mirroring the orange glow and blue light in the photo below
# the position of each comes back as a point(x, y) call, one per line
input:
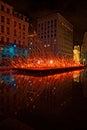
point(47, 102)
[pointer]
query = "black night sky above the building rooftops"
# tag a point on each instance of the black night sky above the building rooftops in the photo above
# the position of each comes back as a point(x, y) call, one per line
point(75, 11)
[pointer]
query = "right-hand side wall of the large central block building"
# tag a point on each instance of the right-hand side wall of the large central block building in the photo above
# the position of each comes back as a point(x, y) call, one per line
point(65, 36)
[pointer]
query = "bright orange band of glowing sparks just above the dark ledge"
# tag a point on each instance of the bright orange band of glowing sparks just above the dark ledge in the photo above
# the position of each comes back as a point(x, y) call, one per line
point(43, 63)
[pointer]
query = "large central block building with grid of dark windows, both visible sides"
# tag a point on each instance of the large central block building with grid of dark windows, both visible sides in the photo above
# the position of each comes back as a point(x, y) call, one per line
point(56, 33)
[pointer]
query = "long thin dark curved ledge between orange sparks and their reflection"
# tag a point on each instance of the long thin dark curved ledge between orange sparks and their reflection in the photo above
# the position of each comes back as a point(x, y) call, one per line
point(47, 71)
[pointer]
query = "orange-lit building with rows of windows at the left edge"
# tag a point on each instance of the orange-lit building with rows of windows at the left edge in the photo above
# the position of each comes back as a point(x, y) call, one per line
point(13, 26)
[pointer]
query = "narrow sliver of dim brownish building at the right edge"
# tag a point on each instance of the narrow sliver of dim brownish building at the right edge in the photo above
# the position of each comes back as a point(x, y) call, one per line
point(84, 49)
